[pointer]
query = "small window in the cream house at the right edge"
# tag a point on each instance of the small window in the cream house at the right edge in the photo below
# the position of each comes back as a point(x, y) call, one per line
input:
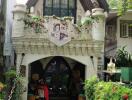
point(125, 28)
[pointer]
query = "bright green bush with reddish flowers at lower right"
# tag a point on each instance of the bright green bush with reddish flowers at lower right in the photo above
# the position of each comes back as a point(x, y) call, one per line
point(100, 90)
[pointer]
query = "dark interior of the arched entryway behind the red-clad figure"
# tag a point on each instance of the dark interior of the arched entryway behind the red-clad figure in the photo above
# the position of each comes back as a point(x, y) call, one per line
point(64, 76)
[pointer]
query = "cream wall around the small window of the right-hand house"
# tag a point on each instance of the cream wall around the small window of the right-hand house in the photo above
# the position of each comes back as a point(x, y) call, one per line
point(124, 41)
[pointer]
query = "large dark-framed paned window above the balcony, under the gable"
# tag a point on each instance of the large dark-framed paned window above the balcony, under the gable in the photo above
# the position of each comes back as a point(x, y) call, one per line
point(60, 8)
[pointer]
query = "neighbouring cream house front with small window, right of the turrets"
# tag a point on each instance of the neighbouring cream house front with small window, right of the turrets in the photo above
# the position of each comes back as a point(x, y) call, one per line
point(118, 32)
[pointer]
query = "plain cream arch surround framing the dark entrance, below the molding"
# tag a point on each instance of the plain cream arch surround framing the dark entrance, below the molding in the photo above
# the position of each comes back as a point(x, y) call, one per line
point(90, 69)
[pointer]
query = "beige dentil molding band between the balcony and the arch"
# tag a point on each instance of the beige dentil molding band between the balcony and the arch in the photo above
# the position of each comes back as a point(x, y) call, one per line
point(43, 46)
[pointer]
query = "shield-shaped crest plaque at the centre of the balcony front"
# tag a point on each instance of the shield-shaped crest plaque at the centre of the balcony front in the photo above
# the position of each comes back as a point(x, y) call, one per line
point(59, 34)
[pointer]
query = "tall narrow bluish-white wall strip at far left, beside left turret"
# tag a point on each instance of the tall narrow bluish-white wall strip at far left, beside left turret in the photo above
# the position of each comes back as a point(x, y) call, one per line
point(8, 50)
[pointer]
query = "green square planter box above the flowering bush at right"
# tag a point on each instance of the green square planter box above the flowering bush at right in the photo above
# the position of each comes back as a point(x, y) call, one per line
point(126, 73)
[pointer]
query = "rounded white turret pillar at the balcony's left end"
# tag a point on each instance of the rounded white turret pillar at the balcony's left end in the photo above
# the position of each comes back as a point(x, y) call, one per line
point(18, 23)
